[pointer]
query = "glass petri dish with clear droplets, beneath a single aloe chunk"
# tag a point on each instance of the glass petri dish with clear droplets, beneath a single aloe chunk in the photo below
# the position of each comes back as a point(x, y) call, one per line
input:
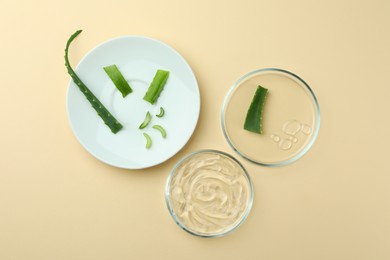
point(290, 118)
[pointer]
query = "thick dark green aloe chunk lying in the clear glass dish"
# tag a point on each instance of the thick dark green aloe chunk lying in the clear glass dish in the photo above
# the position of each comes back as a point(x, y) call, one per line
point(253, 120)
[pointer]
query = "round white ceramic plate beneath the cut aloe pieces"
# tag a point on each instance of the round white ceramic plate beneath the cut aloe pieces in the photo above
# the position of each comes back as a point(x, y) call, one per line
point(138, 58)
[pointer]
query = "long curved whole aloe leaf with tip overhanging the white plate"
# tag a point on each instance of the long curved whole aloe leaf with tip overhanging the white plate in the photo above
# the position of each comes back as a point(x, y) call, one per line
point(102, 111)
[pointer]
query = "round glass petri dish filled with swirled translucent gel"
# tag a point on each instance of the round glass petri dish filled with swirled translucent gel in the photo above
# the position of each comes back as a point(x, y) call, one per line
point(209, 193)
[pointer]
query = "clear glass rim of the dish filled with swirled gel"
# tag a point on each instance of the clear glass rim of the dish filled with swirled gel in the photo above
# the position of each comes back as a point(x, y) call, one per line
point(167, 193)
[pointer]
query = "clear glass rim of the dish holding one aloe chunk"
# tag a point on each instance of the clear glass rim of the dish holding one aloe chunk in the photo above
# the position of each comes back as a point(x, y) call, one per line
point(298, 155)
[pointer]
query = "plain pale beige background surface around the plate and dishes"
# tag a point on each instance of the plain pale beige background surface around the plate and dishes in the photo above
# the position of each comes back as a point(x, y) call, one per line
point(58, 202)
